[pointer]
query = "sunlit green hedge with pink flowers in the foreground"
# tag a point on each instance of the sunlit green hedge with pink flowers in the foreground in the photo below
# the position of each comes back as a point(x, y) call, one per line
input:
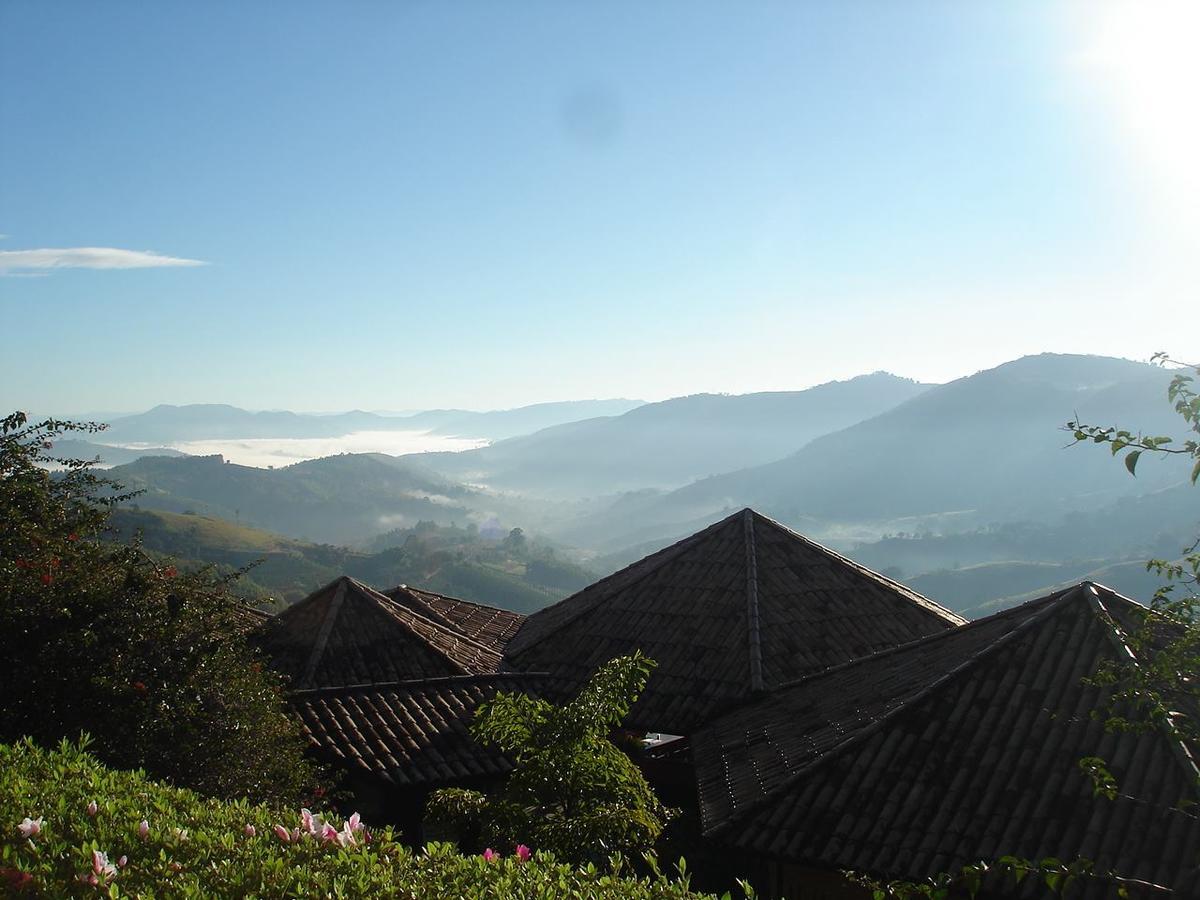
point(194, 848)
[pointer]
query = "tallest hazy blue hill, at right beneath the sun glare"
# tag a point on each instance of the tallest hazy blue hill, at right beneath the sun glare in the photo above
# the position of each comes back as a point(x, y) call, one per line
point(985, 448)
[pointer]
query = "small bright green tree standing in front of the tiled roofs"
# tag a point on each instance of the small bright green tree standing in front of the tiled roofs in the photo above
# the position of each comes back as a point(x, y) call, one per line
point(572, 791)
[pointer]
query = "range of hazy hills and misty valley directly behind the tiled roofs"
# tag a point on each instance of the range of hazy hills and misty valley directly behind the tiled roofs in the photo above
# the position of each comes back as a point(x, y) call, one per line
point(969, 489)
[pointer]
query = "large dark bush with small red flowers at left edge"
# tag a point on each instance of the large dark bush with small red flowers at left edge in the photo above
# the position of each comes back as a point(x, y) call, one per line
point(101, 639)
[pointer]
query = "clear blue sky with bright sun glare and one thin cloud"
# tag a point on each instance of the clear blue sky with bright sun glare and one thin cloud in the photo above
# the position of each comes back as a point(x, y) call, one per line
point(401, 206)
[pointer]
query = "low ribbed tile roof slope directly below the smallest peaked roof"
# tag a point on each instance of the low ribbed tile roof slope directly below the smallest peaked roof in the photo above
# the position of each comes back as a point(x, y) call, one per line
point(407, 734)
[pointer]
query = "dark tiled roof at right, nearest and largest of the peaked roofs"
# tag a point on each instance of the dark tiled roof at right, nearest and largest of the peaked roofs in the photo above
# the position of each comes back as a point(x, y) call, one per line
point(953, 749)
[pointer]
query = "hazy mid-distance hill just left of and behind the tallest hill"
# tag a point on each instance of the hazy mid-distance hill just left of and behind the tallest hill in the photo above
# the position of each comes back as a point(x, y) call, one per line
point(675, 442)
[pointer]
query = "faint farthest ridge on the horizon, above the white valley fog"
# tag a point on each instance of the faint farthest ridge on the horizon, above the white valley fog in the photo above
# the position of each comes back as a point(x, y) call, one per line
point(207, 422)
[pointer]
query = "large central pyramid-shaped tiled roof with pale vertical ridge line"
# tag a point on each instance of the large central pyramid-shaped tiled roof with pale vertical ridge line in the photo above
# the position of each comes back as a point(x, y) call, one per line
point(742, 607)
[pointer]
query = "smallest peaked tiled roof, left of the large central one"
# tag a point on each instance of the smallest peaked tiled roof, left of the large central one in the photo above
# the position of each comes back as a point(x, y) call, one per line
point(350, 634)
